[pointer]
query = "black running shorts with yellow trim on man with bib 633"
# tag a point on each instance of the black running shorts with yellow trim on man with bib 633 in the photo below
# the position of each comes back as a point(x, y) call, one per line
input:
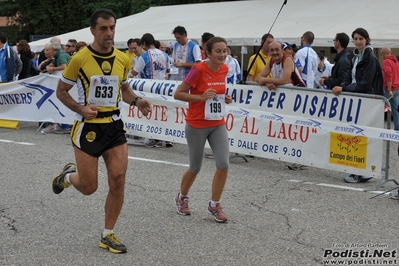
point(95, 138)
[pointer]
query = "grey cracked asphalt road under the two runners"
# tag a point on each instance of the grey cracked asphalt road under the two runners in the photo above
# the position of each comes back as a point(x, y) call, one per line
point(277, 216)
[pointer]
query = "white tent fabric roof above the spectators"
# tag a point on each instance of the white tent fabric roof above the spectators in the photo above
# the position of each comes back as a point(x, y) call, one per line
point(244, 22)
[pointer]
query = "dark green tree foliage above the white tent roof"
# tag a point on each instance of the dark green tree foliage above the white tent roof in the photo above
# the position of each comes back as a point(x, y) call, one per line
point(54, 17)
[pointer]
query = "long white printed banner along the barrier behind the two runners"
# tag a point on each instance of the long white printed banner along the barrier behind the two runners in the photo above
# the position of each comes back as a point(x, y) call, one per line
point(313, 128)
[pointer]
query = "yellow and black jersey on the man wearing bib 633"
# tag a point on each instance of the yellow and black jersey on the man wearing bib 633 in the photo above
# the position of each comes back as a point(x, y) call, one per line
point(99, 78)
